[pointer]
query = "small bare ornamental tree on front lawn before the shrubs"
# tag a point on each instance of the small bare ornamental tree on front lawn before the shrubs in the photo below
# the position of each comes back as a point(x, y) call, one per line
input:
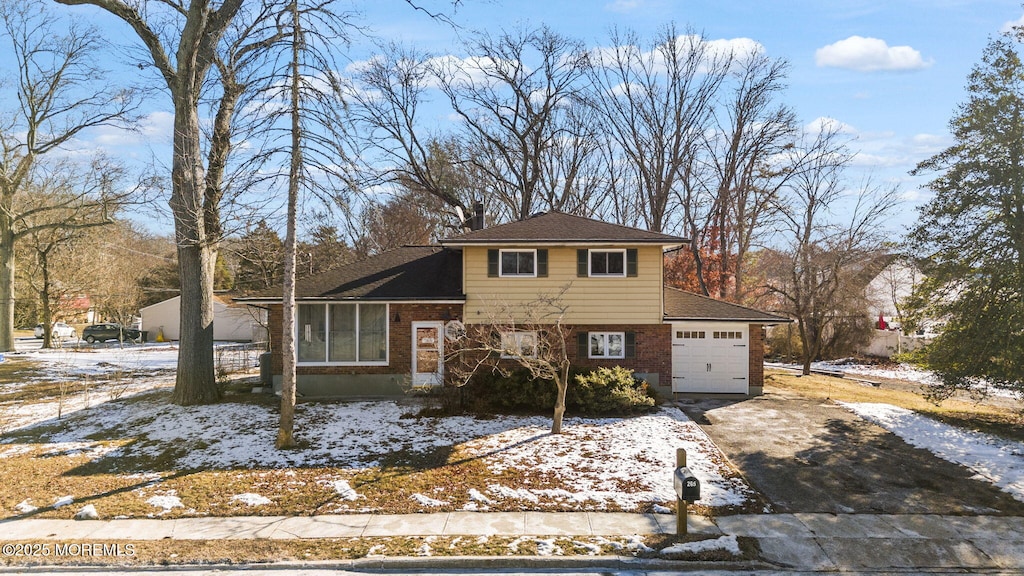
point(533, 336)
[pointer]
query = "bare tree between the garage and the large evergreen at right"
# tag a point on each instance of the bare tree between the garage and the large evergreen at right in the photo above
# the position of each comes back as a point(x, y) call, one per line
point(816, 275)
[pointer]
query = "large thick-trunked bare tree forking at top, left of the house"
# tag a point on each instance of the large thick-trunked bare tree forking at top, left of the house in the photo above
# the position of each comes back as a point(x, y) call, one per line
point(182, 43)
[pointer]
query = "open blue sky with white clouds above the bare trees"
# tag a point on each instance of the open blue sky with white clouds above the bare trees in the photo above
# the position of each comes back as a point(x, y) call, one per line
point(891, 72)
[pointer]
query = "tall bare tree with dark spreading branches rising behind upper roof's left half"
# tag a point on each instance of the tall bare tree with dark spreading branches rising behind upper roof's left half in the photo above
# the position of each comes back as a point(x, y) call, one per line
point(510, 95)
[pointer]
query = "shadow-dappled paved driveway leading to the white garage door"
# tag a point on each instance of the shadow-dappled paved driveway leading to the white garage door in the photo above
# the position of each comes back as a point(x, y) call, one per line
point(808, 456)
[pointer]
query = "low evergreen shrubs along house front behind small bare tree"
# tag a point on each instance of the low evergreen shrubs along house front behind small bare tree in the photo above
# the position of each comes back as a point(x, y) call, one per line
point(592, 393)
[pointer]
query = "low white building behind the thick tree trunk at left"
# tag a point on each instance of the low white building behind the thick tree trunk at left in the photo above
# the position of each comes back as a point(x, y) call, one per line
point(232, 322)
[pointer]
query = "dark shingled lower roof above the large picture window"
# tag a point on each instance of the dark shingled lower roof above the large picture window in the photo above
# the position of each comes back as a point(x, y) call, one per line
point(410, 273)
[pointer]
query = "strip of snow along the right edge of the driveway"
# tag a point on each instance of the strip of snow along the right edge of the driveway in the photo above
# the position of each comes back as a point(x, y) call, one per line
point(996, 461)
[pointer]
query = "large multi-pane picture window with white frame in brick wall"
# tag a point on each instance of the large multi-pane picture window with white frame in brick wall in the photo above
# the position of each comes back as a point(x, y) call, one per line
point(343, 334)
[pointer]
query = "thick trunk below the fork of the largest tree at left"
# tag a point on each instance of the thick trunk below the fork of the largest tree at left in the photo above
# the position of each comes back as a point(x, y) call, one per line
point(196, 382)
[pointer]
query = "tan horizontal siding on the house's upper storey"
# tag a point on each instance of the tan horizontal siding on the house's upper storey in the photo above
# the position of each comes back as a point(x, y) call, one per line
point(591, 301)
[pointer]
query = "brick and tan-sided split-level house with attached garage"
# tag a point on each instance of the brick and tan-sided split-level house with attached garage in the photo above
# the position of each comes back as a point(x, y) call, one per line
point(374, 327)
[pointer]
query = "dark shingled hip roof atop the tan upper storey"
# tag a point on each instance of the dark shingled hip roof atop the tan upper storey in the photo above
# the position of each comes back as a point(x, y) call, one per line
point(562, 228)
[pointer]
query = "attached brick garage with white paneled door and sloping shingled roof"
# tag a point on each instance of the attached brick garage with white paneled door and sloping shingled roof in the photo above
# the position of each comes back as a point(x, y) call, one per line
point(717, 347)
